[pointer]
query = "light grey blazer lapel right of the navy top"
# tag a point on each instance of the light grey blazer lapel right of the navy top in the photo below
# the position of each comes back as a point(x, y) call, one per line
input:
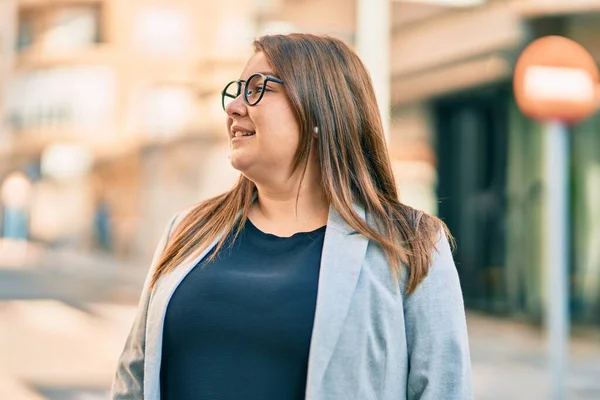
point(342, 257)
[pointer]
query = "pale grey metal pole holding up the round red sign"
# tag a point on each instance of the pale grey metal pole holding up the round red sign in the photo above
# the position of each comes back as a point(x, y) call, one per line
point(556, 253)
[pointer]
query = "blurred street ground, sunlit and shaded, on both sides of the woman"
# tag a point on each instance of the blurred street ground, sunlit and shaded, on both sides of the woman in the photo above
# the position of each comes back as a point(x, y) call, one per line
point(63, 342)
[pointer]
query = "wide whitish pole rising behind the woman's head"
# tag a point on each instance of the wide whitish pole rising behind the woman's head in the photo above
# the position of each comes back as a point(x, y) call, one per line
point(373, 46)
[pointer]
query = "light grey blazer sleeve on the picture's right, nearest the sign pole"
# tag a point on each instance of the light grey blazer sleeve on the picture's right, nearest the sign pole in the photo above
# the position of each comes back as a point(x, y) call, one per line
point(436, 331)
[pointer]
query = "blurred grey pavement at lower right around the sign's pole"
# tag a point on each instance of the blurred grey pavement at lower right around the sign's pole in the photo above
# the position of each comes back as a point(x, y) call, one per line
point(509, 361)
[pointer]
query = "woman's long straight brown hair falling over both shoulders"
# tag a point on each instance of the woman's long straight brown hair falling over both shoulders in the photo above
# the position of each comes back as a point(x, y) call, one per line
point(329, 87)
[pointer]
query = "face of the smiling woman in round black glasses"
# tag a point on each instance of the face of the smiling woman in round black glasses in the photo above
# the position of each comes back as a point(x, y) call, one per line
point(271, 131)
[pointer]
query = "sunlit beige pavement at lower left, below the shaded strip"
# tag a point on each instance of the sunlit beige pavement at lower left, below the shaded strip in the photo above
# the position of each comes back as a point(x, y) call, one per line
point(53, 351)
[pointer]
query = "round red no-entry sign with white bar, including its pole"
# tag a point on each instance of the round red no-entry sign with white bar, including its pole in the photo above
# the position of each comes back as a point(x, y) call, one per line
point(556, 81)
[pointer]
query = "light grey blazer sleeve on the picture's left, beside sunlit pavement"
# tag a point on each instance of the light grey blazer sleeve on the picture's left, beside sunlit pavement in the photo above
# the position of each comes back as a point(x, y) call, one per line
point(129, 378)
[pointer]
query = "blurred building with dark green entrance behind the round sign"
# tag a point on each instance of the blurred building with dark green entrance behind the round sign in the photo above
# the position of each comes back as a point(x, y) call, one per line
point(451, 88)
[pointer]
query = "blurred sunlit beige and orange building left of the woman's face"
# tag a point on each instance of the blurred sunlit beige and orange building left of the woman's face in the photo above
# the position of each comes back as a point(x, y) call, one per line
point(112, 109)
